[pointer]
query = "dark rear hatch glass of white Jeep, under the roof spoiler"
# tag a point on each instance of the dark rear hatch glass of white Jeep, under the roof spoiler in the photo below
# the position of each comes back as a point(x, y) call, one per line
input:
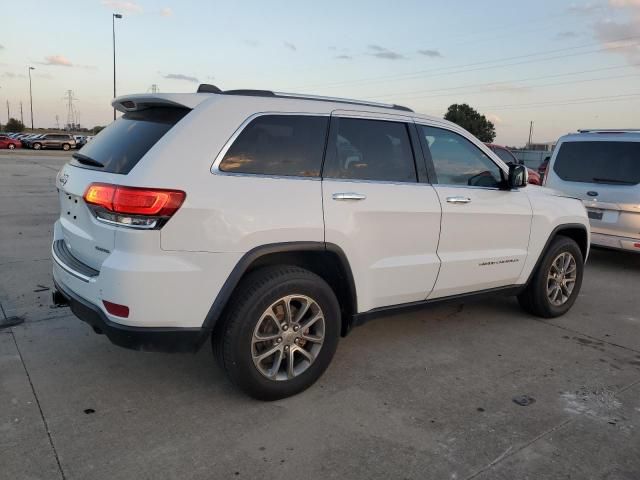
point(121, 145)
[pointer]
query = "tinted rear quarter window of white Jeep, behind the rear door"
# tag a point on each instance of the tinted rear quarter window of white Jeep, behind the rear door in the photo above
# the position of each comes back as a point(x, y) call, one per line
point(281, 145)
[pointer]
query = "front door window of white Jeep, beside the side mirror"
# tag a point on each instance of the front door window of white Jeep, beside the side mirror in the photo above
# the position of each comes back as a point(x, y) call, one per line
point(457, 161)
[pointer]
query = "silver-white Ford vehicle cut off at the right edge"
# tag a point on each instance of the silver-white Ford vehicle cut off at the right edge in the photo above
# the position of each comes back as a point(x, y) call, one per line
point(602, 168)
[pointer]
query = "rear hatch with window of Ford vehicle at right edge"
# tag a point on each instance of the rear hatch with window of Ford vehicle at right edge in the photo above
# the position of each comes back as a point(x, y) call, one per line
point(606, 176)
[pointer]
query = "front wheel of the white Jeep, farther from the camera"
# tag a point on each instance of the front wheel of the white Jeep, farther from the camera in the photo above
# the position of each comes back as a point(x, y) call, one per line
point(549, 293)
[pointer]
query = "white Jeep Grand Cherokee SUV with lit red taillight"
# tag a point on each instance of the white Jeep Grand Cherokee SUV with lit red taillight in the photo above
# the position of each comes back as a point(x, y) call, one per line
point(274, 223)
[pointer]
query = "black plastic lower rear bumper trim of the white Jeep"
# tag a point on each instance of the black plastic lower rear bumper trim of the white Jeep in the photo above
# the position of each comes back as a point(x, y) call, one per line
point(148, 339)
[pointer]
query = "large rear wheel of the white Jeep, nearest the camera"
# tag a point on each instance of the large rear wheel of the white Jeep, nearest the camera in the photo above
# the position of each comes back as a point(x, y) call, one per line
point(279, 333)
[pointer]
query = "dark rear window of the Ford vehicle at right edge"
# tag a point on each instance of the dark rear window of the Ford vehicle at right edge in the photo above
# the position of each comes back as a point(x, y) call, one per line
point(615, 163)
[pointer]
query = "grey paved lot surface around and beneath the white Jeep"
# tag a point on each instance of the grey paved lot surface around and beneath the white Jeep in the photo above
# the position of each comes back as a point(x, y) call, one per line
point(416, 396)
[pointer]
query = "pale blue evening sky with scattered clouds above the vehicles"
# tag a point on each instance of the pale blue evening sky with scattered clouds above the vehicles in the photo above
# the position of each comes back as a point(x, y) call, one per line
point(564, 65)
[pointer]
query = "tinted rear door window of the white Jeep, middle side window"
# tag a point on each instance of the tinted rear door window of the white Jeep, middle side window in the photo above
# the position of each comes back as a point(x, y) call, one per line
point(370, 150)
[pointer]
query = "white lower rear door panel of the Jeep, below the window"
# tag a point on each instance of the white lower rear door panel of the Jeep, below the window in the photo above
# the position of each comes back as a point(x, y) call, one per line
point(390, 238)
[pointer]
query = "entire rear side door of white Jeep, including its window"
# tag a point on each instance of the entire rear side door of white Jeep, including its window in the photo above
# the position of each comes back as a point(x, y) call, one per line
point(386, 222)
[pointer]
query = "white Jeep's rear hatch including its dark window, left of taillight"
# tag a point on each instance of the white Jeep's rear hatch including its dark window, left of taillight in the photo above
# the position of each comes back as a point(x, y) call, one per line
point(108, 158)
